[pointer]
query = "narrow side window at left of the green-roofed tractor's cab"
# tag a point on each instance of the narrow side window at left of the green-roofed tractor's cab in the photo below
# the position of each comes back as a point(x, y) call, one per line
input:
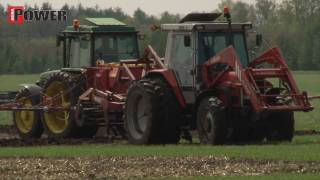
point(79, 51)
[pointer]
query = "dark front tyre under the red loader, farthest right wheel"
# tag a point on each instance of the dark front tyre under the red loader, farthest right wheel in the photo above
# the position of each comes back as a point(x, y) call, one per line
point(281, 126)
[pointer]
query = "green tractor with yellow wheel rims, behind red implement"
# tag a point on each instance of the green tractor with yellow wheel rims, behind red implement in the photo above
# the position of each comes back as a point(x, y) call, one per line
point(103, 40)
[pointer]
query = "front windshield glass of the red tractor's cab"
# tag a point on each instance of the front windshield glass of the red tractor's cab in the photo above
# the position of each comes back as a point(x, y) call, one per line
point(211, 43)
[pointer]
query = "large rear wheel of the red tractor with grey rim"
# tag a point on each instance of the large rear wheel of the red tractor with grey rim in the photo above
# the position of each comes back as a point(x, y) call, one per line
point(151, 113)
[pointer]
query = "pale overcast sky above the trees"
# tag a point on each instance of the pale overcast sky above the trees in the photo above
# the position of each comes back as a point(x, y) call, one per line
point(154, 7)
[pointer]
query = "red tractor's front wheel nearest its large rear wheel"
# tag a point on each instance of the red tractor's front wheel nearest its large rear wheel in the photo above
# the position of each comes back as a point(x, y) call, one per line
point(211, 121)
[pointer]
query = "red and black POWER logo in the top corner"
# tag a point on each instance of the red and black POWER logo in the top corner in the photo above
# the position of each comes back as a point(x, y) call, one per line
point(18, 15)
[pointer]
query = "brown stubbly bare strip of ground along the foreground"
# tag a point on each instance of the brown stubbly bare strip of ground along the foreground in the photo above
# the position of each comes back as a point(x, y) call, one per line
point(124, 167)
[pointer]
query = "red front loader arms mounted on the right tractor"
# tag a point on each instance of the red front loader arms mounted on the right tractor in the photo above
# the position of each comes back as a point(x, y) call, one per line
point(246, 80)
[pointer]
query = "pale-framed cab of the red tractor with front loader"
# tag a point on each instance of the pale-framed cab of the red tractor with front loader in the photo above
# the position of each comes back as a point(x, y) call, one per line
point(196, 39)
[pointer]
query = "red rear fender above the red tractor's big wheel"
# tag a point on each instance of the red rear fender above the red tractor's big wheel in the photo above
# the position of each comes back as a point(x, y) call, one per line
point(169, 76)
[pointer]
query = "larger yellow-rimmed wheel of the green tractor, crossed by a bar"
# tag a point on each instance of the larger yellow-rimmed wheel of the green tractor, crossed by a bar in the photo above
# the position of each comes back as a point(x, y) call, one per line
point(63, 88)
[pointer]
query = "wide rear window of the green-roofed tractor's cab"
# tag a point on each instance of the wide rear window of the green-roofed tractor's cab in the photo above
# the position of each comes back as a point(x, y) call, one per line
point(112, 48)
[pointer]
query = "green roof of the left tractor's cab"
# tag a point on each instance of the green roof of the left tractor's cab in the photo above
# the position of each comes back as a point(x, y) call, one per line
point(101, 25)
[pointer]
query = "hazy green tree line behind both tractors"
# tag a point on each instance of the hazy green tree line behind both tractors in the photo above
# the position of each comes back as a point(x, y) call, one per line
point(293, 25)
